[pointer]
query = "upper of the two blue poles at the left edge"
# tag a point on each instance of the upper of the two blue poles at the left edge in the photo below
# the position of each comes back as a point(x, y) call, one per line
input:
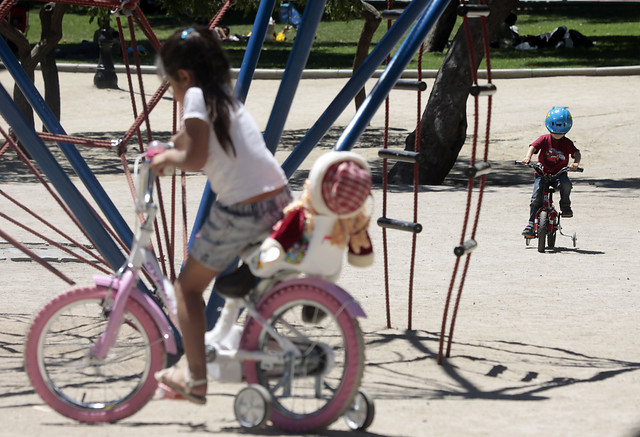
point(77, 162)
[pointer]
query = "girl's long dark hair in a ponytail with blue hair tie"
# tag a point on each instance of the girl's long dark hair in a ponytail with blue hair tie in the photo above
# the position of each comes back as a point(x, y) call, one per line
point(198, 50)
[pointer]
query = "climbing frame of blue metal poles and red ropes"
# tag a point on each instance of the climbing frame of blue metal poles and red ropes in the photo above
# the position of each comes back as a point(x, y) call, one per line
point(112, 236)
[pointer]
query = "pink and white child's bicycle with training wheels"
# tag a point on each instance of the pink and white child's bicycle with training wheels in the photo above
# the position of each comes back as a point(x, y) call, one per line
point(91, 353)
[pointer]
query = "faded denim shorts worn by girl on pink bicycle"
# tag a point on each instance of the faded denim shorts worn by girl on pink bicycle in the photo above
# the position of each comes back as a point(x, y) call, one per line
point(230, 229)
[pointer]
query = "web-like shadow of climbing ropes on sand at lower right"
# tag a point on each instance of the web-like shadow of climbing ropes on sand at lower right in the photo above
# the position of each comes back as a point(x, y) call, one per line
point(388, 380)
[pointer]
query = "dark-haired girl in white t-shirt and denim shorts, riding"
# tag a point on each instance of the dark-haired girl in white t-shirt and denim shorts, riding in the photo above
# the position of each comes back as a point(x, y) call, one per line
point(216, 135)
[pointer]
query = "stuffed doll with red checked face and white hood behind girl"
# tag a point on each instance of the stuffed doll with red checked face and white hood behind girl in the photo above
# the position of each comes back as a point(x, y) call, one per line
point(329, 219)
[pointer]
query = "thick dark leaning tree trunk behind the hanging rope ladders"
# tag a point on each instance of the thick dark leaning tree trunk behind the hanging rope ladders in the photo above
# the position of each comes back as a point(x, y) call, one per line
point(444, 121)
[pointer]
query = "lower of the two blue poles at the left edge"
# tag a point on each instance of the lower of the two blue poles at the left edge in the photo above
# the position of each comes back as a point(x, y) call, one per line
point(50, 167)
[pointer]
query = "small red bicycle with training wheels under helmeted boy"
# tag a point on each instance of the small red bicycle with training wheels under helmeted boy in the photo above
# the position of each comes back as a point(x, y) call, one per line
point(547, 219)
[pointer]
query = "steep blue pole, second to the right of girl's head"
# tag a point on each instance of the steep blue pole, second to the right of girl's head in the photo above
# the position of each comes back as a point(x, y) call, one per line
point(293, 72)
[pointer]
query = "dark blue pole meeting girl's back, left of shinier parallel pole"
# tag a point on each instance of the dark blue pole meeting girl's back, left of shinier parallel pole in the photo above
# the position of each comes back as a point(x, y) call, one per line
point(355, 83)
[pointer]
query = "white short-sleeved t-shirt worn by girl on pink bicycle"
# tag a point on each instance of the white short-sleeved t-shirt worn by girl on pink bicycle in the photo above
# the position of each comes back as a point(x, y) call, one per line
point(252, 171)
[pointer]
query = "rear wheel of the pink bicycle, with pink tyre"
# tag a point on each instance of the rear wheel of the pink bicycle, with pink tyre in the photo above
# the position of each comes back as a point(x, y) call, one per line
point(318, 387)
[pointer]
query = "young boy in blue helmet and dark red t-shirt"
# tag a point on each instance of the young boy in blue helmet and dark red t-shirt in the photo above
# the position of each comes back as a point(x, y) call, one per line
point(553, 151)
